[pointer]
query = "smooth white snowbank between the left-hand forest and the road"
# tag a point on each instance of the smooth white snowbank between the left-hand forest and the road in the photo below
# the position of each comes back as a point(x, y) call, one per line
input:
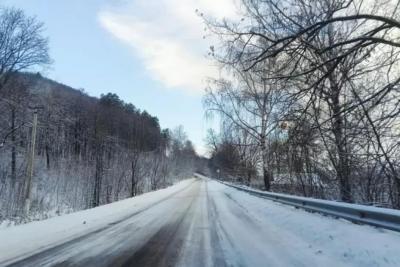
point(27, 239)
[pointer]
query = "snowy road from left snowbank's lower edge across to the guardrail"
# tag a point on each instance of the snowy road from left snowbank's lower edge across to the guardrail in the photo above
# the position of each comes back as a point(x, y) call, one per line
point(209, 224)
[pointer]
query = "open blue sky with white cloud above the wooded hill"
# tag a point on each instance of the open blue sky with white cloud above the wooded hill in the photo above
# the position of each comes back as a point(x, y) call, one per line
point(151, 53)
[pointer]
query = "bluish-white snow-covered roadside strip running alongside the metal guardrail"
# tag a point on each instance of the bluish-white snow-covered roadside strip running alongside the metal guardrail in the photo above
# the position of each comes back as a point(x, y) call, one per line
point(296, 237)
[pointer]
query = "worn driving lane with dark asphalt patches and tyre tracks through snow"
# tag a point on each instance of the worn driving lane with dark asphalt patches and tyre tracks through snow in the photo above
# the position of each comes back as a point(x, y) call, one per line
point(174, 232)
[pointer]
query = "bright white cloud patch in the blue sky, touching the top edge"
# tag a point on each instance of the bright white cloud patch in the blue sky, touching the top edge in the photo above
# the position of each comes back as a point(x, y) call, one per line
point(167, 36)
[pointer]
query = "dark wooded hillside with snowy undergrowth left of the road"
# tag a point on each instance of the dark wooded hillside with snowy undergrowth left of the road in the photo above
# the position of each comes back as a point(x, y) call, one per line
point(62, 150)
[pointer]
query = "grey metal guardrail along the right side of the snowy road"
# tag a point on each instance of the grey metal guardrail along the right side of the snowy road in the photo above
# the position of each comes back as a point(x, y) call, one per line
point(380, 217)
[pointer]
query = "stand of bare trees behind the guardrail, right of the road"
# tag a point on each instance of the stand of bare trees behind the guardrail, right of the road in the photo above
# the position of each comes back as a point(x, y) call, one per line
point(309, 102)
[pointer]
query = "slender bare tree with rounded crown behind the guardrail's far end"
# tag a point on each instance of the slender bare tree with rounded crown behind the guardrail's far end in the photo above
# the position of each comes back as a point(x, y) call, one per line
point(253, 104)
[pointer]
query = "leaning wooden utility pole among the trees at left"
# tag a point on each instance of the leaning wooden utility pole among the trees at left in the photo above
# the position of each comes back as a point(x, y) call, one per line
point(30, 164)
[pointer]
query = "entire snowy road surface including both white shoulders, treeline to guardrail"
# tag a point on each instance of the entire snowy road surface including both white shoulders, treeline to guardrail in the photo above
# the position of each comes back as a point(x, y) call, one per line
point(197, 222)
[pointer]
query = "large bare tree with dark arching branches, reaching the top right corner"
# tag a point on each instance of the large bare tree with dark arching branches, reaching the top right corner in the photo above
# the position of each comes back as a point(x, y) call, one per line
point(327, 53)
